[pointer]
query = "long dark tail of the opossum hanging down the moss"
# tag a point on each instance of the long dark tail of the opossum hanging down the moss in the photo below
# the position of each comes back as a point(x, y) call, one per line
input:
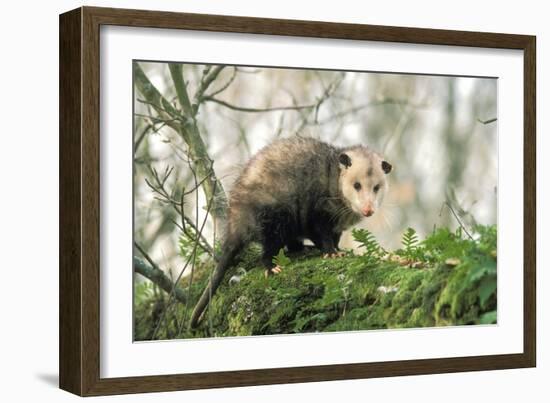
point(230, 251)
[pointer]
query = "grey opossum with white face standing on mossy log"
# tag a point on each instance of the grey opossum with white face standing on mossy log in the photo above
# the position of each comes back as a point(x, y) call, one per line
point(296, 189)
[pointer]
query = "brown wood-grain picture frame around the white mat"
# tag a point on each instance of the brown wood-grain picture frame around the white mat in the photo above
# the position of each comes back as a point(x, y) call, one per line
point(79, 349)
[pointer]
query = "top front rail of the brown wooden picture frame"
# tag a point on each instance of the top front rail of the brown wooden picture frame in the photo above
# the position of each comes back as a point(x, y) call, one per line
point(315, 29)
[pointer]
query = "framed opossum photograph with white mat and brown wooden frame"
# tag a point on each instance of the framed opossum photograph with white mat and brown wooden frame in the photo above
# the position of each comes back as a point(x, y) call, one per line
point(249, 201)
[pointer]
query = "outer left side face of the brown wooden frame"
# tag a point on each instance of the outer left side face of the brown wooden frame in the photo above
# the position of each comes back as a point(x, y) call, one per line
point(70, 186)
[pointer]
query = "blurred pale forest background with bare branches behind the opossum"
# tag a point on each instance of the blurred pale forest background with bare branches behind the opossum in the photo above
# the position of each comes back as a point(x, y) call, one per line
point(196, 126)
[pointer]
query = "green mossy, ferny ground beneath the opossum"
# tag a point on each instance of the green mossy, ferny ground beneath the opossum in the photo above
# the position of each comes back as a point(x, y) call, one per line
point(313, 294)
